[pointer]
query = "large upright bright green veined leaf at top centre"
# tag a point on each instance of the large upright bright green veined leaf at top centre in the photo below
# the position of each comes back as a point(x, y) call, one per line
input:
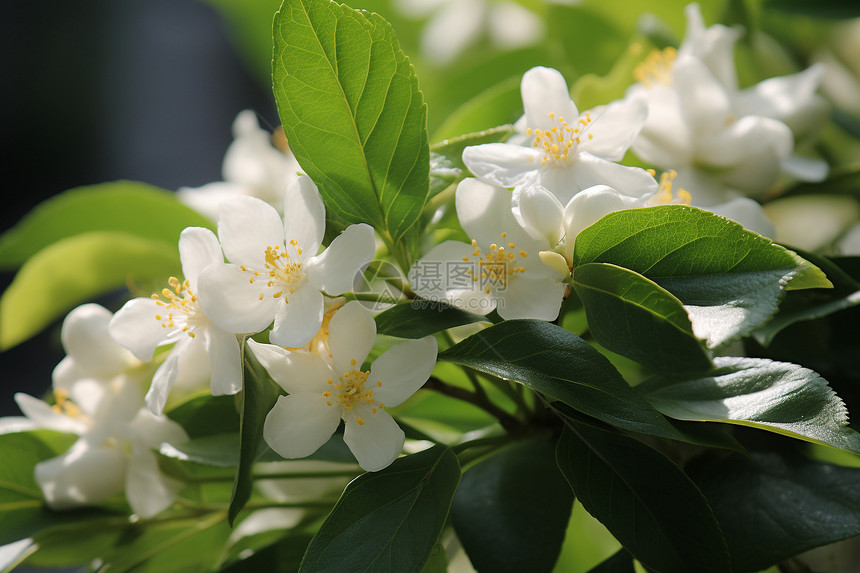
point(353, 113)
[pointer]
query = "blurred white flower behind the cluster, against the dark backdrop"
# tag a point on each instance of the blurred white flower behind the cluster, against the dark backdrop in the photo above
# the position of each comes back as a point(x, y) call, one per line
point(252, 166)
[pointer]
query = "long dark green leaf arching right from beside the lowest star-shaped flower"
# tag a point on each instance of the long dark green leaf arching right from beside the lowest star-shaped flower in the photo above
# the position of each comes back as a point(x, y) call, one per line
point(559, 364)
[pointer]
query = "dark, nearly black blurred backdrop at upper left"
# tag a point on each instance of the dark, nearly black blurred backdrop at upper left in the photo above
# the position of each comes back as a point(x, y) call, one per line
point(99, 90)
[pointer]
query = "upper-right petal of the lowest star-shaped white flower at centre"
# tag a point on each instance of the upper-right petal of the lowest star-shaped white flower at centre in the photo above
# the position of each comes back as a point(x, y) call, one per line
point(402, 369)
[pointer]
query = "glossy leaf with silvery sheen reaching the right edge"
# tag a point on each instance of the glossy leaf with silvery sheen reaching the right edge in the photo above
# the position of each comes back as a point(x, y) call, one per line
point(775, 396)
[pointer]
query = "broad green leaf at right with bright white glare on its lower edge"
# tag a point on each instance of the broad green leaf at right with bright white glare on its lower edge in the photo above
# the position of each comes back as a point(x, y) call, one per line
point(729, 279)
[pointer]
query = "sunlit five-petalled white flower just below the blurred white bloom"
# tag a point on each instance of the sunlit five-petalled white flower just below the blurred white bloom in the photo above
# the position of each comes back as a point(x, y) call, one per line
point(276, 272)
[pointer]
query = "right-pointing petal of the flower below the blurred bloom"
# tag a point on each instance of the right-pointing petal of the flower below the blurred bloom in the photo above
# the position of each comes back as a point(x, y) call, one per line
point(337, 268)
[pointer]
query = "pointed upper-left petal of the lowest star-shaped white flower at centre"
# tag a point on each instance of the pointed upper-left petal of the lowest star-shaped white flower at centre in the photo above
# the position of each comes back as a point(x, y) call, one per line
point(295, 372)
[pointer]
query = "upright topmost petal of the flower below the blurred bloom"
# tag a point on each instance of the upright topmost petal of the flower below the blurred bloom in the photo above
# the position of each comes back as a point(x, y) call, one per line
point(304, 215)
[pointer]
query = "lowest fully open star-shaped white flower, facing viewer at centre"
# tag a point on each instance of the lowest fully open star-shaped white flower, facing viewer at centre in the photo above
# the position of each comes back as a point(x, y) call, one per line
point(324, 391)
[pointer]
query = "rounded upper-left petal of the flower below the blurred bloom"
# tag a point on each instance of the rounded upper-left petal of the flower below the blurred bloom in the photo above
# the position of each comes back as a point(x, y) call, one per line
point(246, 226)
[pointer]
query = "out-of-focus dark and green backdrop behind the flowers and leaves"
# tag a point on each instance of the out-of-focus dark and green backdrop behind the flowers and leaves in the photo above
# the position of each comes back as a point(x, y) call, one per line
point(102, 90)
